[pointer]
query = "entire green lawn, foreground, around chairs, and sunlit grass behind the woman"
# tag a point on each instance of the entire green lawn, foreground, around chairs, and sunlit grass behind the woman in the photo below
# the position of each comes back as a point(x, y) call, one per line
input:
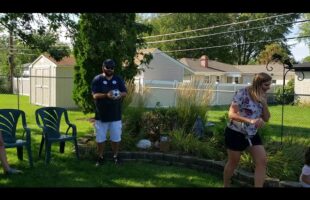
point(66, 171)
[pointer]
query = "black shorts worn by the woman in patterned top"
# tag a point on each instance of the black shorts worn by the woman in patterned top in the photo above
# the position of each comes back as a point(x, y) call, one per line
point(236, 141)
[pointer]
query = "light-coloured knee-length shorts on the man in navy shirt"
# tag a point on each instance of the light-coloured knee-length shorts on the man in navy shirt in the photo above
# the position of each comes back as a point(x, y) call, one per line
point(115, 130)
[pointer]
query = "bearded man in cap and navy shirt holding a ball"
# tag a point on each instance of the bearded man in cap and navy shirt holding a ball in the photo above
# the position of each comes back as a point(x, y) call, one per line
point(108, 91)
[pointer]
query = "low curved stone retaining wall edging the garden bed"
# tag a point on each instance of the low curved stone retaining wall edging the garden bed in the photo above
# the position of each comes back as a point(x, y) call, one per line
point(241, 177)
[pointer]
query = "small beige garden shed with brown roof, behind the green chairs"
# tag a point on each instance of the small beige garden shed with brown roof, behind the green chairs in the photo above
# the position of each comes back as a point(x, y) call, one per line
point(51, 82)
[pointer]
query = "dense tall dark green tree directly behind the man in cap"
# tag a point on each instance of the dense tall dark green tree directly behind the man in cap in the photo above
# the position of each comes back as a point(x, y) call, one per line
point(102, 36)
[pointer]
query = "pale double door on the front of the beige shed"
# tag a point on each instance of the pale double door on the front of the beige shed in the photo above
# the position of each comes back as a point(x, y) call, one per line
point(42, 87)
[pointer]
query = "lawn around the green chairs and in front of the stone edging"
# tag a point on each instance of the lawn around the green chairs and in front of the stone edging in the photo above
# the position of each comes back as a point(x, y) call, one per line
point(66, 171)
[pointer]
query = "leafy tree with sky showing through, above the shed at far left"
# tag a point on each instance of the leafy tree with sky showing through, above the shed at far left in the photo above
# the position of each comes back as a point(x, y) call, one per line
point(36, 31)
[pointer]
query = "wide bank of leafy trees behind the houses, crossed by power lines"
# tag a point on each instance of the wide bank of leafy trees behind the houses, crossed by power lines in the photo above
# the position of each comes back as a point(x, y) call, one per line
point(237, 43)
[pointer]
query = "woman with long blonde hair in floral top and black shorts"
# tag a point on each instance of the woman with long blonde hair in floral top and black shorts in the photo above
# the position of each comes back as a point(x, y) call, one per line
point(247, 113)
